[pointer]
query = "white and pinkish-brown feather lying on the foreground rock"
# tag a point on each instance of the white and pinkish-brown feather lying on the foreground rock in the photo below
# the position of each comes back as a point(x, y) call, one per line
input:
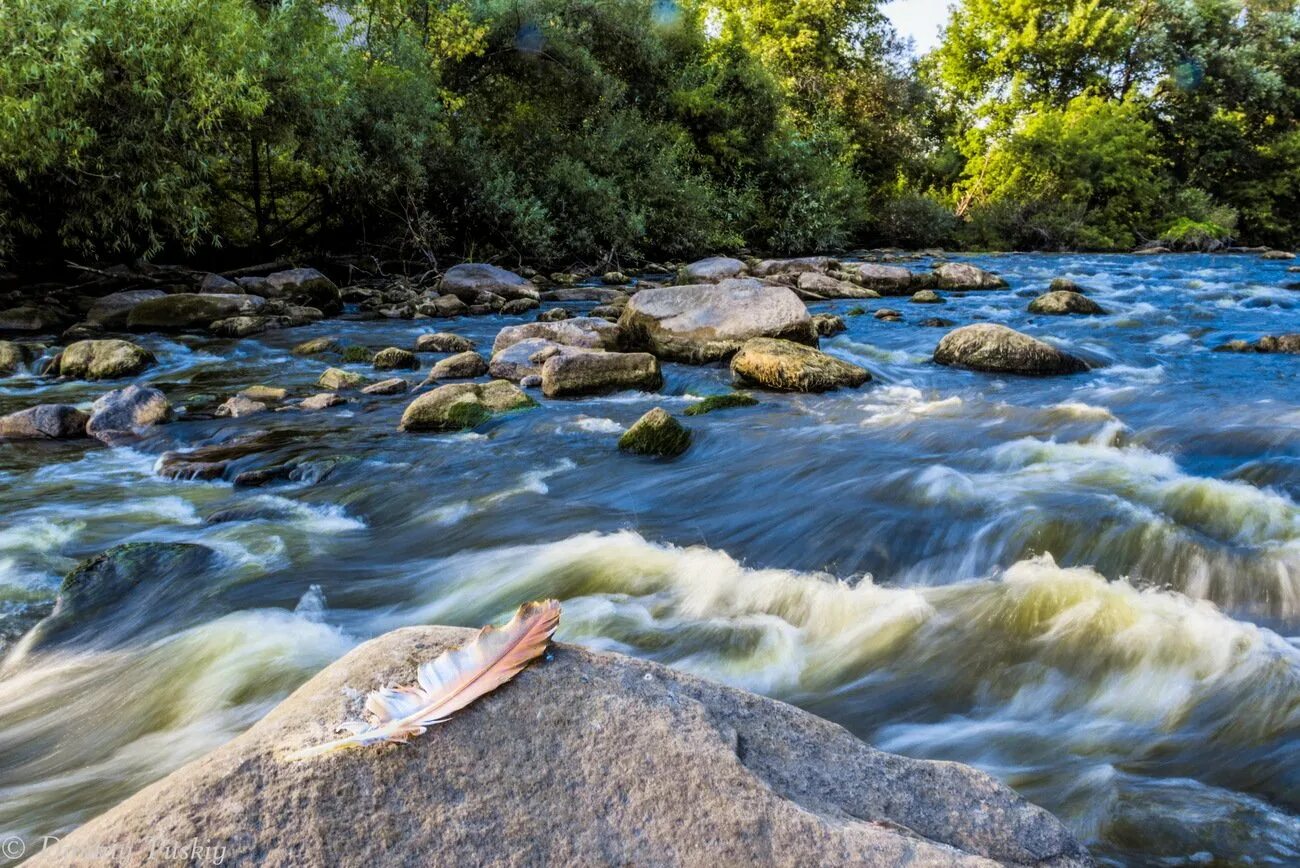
point(452, 682)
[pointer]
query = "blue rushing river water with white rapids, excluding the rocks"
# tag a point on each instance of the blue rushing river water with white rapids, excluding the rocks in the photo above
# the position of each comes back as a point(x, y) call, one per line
point(1089, 587)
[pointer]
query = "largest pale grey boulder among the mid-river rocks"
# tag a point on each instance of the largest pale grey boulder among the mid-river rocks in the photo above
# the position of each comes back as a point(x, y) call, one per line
point(708, 323)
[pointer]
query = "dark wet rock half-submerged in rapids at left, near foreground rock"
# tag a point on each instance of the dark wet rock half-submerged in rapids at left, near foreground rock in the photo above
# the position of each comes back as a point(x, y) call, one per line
point(142, 574)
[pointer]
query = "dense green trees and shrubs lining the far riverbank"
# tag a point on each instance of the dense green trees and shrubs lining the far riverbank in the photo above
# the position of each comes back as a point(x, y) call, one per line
point(614, 131)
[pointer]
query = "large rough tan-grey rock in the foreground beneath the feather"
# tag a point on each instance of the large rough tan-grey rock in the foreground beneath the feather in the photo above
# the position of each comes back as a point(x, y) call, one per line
point(586, 759)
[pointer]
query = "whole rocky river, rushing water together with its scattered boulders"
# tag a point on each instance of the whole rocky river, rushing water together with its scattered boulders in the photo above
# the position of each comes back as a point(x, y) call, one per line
point(1034, 514)
